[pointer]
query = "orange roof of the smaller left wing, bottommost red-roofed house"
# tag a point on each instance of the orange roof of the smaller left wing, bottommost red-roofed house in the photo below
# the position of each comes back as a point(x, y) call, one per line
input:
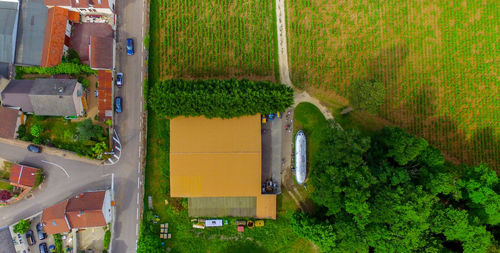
point(54, 219)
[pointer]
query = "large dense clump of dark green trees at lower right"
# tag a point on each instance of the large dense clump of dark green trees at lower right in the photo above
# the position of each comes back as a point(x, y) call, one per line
point(394, 193)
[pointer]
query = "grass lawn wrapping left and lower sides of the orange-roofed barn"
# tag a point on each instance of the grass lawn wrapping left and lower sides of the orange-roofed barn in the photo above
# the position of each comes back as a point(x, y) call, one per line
point(275, 236)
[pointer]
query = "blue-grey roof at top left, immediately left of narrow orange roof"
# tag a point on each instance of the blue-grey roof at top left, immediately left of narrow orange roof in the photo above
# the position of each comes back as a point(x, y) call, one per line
point(30, 34)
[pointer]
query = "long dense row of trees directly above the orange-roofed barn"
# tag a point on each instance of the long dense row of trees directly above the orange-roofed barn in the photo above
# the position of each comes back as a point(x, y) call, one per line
point(218, 98)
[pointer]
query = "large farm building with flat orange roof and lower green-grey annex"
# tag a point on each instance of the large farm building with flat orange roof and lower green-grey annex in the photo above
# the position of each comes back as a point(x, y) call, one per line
point(216, 163)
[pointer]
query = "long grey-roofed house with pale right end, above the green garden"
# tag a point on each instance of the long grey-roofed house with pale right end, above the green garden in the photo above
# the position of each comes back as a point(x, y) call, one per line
point(48, 97)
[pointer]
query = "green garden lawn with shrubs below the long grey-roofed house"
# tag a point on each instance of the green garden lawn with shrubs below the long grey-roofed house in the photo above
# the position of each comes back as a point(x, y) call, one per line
point(60, 133)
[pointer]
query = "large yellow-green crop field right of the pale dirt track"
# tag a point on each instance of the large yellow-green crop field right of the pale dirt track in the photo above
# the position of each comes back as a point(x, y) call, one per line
point(439, 61)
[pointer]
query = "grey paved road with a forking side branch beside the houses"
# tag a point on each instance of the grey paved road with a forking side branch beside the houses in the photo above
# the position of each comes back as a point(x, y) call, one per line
point(88, 176)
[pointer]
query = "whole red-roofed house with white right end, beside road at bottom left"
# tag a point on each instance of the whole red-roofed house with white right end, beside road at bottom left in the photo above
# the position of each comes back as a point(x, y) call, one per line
point(85, 210)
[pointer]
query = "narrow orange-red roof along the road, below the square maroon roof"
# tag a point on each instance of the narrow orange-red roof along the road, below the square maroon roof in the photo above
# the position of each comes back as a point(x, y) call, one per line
point(105, 91)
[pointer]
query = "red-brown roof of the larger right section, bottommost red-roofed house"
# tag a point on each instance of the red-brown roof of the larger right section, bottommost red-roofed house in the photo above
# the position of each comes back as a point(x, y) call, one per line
point(85, 210)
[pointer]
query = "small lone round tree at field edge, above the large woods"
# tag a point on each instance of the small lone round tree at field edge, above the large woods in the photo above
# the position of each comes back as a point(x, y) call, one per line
point(367, 95)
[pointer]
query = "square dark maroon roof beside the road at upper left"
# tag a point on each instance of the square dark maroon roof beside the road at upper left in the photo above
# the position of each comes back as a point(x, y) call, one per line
point(101, 52)
